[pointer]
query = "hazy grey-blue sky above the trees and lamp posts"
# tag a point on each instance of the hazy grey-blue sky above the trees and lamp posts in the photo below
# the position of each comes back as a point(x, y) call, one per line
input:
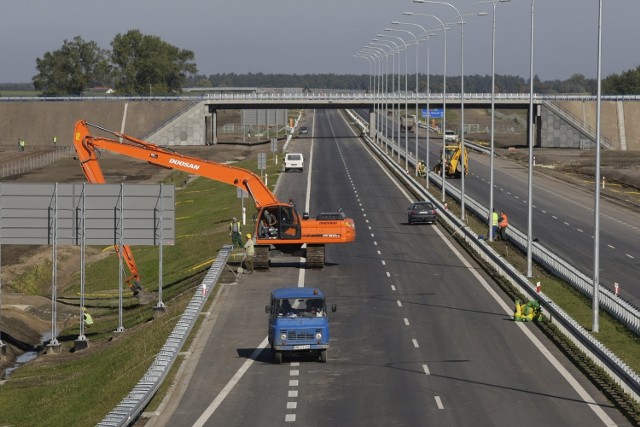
point(321, 36)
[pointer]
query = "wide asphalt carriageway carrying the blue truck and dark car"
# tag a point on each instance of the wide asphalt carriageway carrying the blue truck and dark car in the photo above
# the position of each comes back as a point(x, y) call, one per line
point(421, 335)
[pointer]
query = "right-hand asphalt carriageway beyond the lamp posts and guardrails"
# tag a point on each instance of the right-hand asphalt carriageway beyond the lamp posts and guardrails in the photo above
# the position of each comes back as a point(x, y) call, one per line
point(563, 216)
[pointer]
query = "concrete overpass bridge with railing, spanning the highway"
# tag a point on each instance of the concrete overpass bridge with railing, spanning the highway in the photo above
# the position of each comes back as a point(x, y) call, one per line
point(554, 126)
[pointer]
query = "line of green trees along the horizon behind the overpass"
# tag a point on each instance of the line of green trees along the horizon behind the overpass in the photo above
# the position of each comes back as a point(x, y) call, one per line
point(140, 64)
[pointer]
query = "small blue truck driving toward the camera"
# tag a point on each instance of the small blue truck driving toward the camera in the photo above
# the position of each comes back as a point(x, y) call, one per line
point(298, 322)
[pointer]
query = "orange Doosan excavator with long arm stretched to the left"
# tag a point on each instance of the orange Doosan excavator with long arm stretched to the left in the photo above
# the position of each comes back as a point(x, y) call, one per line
point(279, 227)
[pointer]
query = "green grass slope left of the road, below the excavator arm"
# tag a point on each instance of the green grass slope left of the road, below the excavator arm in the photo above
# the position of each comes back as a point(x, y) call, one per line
point(78, 389)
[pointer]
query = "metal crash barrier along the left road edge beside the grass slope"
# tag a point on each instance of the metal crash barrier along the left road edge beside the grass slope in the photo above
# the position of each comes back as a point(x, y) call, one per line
point(129, 409)
